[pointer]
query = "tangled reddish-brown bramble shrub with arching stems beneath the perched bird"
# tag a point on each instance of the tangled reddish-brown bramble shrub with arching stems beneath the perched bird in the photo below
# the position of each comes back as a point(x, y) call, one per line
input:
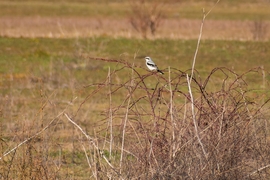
point(157, 130)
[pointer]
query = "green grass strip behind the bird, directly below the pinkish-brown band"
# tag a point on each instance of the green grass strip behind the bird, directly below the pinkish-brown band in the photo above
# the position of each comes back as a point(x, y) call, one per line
point(18, 54)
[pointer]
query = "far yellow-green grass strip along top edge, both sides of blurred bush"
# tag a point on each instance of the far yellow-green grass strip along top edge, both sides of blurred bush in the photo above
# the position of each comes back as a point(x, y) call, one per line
point(230, 10)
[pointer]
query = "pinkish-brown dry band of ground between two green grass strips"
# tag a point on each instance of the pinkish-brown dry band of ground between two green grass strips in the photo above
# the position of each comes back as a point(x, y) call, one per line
point(87, 27)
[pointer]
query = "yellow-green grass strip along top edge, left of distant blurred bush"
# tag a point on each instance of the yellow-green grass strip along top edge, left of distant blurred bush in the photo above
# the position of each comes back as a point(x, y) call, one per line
point(62, 9)
